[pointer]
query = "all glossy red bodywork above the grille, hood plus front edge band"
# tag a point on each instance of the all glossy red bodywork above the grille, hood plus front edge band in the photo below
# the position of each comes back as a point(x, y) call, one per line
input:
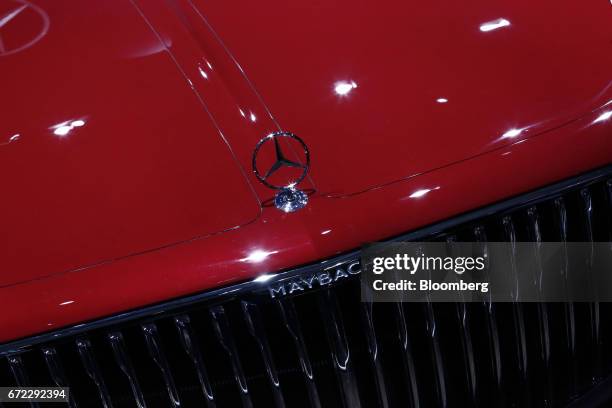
point(159, 94)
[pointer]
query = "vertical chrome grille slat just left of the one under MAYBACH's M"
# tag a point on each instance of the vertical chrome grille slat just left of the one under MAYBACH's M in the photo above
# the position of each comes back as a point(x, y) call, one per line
point(255, 326)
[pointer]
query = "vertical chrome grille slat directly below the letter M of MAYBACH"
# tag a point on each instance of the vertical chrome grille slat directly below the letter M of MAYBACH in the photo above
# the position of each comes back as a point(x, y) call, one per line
point(292, 323)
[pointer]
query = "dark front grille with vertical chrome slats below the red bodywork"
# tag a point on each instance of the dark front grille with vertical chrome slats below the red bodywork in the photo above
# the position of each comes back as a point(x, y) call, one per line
point(324, 348)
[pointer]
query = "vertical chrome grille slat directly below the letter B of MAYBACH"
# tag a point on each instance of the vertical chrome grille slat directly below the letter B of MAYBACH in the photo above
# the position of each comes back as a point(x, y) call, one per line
point(340, 353)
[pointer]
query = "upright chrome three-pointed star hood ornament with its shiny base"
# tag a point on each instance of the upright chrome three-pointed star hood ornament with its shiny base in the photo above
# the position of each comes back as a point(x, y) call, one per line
point(282, 173)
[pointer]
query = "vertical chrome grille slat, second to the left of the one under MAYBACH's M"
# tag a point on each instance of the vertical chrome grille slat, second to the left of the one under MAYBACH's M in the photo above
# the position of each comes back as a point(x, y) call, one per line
point(226, 339)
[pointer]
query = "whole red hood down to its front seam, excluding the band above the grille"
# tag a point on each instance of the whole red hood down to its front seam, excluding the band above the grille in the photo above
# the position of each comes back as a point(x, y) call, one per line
point(130, 126)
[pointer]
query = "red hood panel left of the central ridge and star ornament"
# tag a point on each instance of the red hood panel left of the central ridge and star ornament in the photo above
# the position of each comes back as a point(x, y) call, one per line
point(105, 150)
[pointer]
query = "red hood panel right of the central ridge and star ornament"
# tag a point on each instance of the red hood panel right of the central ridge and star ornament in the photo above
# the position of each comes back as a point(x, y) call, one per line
point(384, 91)
